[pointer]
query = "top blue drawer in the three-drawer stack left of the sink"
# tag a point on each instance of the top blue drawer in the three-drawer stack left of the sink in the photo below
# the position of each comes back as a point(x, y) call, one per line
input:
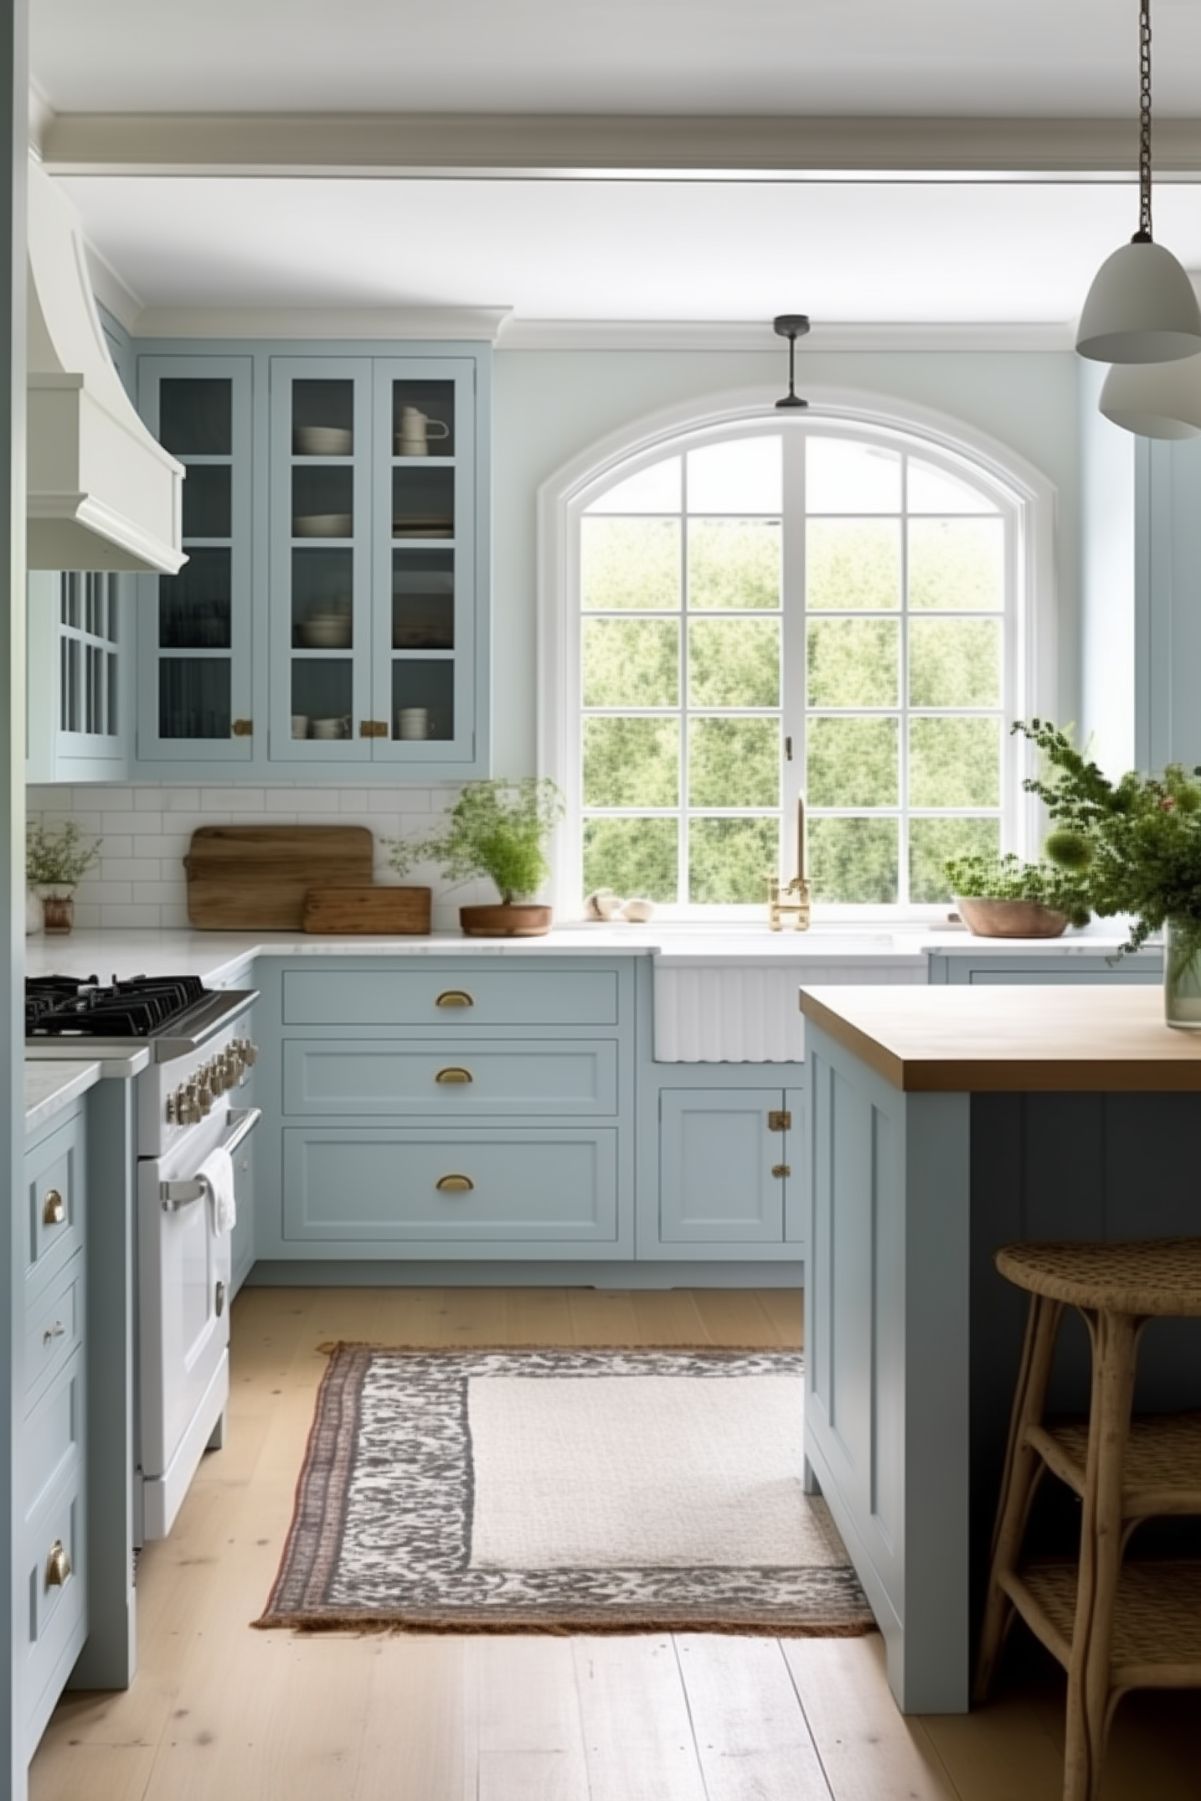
point(462, 999)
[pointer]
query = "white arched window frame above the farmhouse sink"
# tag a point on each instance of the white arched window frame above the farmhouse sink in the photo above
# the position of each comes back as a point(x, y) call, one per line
point(1022, 494)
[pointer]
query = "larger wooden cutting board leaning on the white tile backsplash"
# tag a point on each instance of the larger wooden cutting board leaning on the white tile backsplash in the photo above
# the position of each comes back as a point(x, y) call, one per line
point(257, 876)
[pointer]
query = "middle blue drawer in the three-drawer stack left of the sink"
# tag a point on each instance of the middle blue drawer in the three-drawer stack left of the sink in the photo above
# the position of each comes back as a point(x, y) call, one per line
point(453, 1080)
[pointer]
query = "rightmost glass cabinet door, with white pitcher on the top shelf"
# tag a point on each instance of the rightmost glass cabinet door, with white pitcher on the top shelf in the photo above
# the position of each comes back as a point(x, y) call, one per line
point(424, 561)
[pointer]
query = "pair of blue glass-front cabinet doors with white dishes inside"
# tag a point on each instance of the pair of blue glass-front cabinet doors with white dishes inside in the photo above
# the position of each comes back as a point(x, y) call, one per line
point(374, 561)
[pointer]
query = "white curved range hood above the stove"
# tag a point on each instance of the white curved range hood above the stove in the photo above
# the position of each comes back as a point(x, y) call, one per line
point(104, 494)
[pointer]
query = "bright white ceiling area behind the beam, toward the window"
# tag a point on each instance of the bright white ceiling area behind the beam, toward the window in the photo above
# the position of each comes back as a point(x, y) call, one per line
point(703, 251)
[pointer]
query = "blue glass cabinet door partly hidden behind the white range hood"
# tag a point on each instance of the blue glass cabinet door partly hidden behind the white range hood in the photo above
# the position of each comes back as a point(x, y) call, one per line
point(195, 646)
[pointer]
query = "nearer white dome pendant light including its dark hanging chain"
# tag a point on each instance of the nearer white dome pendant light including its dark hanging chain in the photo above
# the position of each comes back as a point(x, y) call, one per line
point(1142, 305)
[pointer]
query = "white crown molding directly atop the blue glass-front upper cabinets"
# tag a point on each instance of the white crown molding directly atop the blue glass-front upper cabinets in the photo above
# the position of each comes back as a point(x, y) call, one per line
point(417, 323)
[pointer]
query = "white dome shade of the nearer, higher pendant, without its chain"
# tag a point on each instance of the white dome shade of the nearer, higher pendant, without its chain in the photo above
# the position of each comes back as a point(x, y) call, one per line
point(1141, 309)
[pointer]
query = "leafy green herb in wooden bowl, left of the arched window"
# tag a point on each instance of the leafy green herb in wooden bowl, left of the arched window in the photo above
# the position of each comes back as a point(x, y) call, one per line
point(498, 829)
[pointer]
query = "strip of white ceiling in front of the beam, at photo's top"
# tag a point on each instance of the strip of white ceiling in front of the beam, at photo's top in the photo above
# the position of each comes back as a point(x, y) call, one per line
point(1069, 59)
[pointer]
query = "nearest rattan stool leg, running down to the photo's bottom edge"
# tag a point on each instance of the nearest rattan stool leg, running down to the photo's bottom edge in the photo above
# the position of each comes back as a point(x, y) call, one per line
point(1115, 1344)
